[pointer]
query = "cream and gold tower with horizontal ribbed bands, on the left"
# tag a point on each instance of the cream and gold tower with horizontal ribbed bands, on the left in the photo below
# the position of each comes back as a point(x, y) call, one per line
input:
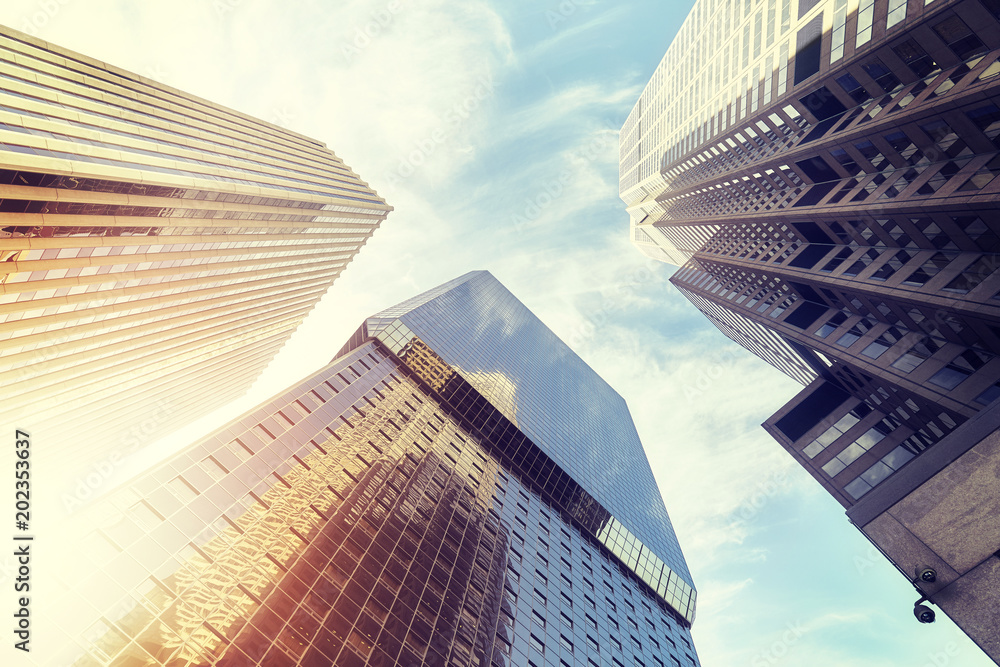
point(156, 249)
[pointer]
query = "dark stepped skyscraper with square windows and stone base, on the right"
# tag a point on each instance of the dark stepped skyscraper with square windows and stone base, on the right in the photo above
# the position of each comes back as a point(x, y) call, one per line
point(824, 175)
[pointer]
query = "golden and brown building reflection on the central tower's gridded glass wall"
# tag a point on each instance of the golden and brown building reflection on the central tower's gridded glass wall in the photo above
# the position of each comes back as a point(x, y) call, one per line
point(240, 584)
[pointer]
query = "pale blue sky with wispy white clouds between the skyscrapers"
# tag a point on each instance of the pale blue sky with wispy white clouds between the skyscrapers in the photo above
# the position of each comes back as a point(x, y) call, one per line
point(492, 130)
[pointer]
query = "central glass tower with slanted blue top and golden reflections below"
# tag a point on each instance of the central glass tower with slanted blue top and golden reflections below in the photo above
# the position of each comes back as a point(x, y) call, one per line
point(456, 487)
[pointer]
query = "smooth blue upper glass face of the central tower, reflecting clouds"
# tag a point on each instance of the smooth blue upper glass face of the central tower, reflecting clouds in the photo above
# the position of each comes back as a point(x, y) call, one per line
point(560, 404)
